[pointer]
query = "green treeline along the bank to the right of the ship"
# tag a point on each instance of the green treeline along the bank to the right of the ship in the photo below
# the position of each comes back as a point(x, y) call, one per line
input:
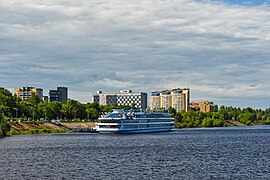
point(225, 116)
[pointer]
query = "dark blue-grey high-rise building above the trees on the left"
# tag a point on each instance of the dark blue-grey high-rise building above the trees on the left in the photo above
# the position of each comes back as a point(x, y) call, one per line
point(60, 94)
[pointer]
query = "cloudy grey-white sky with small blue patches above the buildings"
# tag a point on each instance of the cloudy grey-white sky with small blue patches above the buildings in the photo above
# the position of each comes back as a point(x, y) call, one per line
point(219, 49)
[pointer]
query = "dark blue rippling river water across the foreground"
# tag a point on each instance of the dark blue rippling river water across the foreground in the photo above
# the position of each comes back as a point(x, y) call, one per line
point(206, 153)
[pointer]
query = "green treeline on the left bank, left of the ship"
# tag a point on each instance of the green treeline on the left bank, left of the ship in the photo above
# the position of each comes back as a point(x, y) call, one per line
point(13, 108)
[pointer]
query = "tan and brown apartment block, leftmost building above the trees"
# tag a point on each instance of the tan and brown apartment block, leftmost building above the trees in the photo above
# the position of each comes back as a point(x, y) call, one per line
point(27, 92)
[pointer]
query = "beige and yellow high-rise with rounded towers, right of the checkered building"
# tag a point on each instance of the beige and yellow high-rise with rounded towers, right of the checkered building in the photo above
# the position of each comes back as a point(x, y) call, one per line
point(176, 98)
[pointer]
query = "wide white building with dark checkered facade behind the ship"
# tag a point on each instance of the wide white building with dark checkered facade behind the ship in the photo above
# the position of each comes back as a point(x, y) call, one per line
point(124, 97)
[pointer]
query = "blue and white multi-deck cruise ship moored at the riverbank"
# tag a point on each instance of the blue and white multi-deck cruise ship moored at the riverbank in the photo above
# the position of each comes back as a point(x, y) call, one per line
point(120, 121)
